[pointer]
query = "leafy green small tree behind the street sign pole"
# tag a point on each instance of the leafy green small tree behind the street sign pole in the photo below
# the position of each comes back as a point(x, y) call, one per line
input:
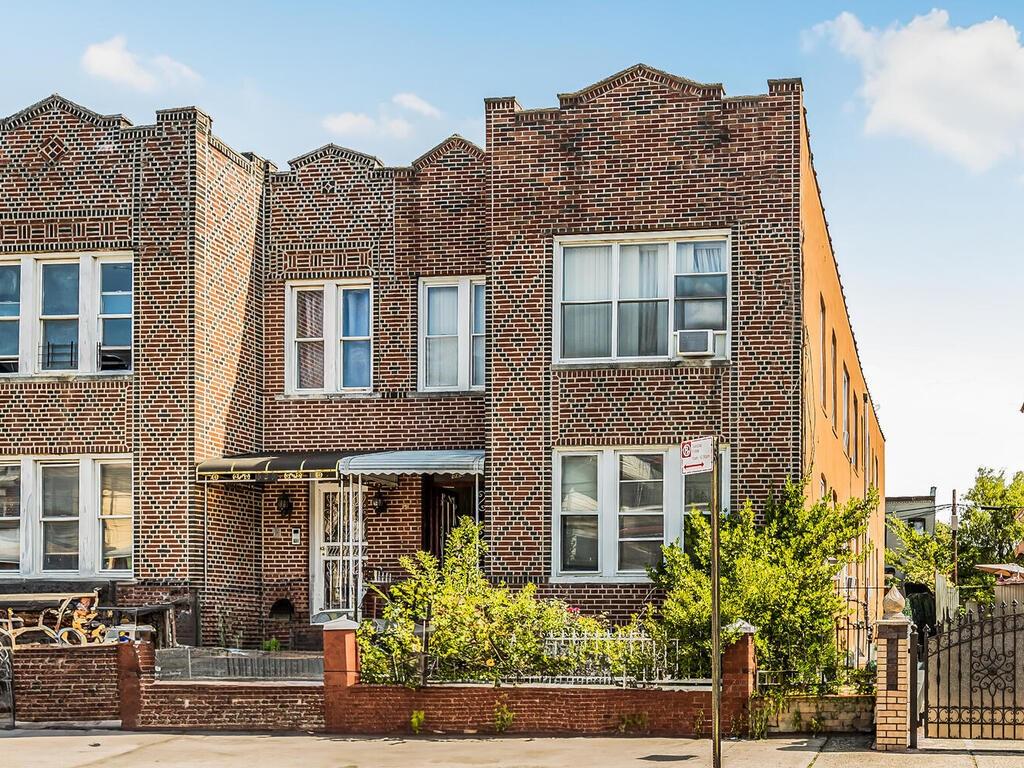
point(779, 575)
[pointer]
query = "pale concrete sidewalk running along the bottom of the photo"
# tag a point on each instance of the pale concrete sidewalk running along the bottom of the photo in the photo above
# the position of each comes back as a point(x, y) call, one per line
point(50, 749)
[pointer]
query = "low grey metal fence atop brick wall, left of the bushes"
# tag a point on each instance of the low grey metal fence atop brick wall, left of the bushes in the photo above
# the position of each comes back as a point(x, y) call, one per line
point(227, 664)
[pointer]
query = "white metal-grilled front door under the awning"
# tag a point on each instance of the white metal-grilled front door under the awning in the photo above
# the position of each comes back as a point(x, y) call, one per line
point(339, 548)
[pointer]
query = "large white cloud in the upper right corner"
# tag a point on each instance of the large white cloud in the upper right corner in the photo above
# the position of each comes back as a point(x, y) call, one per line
point(959, 90)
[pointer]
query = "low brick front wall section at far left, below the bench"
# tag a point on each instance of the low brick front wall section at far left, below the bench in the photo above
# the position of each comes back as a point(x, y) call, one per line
point(66, 685)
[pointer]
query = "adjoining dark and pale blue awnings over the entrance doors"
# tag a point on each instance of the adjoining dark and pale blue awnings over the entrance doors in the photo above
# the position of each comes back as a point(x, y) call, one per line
point(318, 465)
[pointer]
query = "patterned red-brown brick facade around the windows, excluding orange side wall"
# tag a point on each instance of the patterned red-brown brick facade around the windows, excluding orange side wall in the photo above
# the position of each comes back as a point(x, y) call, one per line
point(217, 236)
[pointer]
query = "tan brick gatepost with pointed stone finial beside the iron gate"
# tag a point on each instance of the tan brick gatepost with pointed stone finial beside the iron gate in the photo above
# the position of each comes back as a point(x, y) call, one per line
point(892, 702)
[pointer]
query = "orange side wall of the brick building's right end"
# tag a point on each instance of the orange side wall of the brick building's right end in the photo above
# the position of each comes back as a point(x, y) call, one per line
point(841, 463)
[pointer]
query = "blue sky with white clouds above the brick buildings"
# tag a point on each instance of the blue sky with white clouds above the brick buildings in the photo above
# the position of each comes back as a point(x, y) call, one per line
point(916, 117)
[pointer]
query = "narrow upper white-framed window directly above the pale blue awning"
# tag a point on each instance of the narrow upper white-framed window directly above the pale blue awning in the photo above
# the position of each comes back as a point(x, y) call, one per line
point(452, 335)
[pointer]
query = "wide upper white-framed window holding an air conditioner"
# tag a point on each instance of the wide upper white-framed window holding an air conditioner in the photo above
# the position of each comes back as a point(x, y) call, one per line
point(624, 298)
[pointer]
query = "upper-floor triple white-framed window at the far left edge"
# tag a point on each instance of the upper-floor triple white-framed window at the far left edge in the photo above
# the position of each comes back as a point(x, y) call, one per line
point(62, 315)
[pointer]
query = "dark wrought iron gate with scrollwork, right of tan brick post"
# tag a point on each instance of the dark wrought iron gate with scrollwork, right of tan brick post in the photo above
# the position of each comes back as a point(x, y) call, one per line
point(974, 675)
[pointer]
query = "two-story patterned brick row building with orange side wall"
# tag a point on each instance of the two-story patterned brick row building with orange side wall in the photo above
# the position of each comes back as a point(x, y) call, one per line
point(268, 386)
